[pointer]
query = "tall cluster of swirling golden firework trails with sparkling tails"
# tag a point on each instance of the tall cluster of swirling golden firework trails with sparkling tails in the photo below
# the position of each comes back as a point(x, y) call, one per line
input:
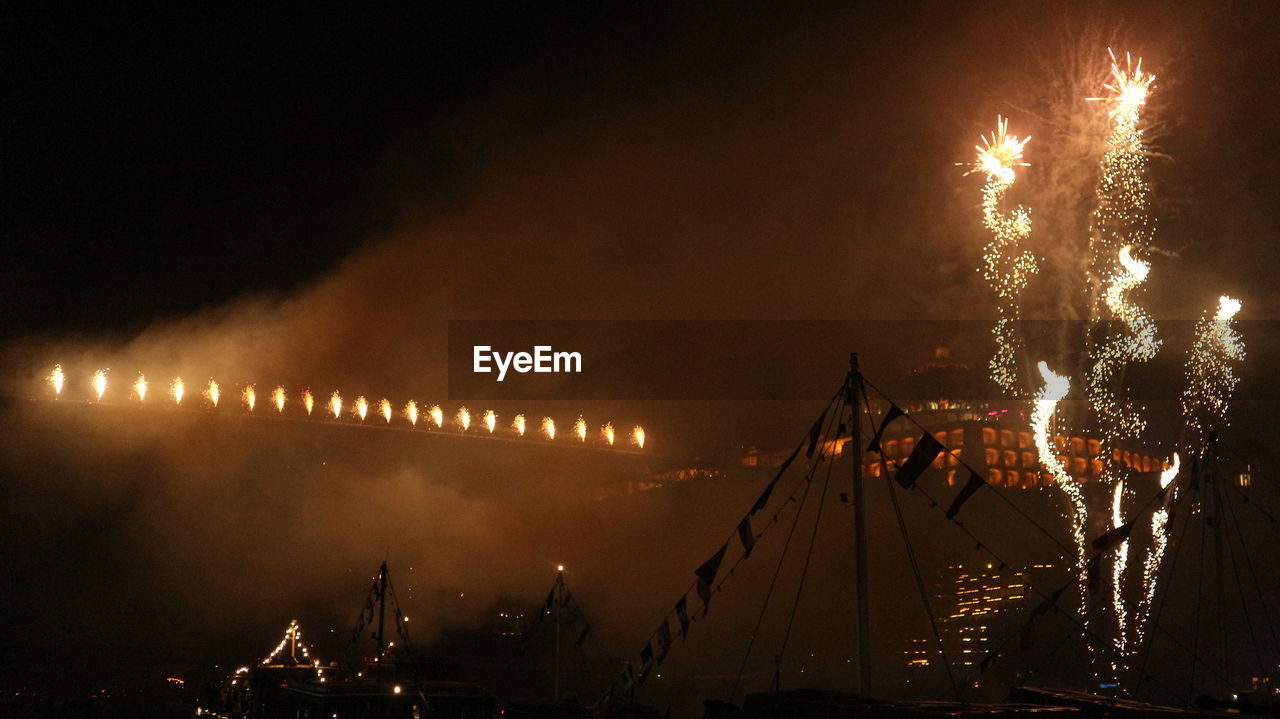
point(1121, 336)
